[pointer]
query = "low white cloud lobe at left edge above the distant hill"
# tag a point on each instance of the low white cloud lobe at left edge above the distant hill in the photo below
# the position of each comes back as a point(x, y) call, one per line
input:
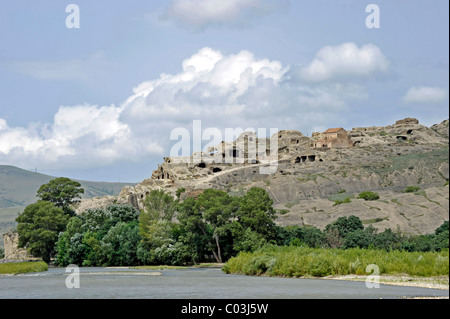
point(80, 136)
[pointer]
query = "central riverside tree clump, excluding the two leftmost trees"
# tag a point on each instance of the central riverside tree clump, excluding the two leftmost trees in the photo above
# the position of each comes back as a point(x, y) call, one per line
point(215, 224)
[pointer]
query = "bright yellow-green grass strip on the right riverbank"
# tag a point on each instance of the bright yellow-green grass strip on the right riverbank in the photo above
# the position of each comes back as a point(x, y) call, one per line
point(290, 261)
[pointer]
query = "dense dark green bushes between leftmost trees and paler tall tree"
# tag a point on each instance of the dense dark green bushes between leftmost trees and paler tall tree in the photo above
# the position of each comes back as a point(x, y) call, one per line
point(101, 237)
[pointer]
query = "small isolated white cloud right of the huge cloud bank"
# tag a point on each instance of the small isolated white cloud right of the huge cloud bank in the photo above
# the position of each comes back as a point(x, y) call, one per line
point(345, 61)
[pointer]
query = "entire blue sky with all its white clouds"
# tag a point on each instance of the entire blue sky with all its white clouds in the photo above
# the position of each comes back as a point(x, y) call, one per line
point(99, 100)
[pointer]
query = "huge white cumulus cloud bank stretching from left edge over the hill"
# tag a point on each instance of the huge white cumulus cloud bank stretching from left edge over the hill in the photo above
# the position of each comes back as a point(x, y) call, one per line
point(237, 90)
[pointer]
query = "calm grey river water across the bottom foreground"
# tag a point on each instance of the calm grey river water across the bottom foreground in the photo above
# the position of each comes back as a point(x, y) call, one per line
point(202, 283)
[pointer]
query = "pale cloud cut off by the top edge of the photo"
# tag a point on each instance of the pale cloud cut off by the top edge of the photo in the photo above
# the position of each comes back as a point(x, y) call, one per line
point(199, 14)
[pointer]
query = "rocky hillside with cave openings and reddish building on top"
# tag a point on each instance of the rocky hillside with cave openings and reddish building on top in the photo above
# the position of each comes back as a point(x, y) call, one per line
point(309, 174)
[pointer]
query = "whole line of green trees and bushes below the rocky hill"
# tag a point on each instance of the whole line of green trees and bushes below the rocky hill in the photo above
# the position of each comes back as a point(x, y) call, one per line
point(215, 226)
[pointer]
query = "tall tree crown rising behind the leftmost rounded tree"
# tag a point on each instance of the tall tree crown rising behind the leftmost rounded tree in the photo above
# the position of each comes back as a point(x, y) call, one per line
point(63, 192)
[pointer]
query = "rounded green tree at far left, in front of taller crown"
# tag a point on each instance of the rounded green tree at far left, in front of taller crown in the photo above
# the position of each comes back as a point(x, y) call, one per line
point(39, 226)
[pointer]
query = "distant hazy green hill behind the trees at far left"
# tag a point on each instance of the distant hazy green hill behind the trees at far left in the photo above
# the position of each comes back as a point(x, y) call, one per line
point(18, 188)
